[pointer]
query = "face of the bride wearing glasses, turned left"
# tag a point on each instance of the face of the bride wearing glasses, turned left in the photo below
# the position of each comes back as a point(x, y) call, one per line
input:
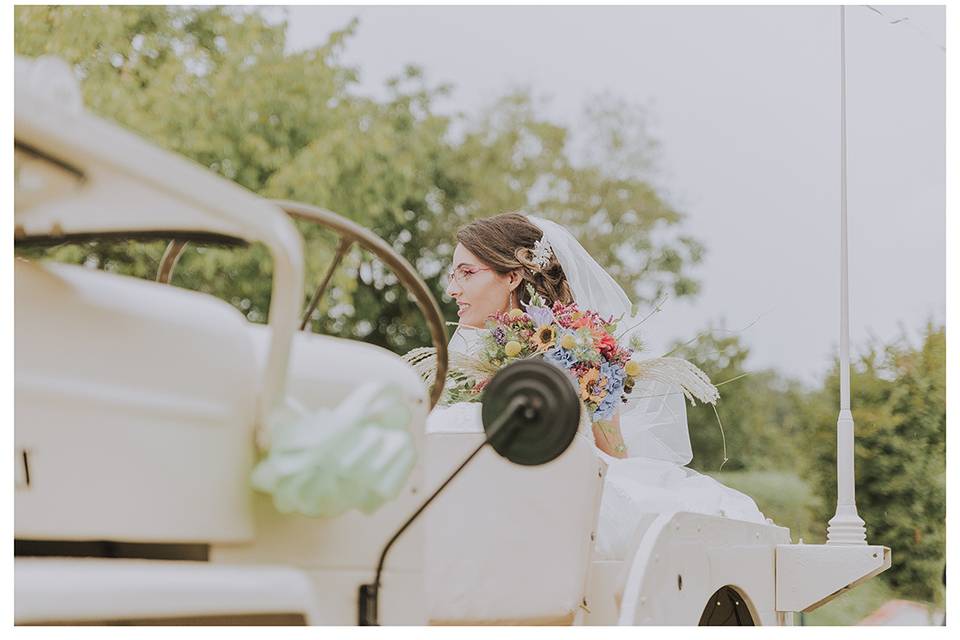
point(479, 290)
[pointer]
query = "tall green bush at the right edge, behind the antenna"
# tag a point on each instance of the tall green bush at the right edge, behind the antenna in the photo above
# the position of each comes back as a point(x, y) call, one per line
point(898, 399)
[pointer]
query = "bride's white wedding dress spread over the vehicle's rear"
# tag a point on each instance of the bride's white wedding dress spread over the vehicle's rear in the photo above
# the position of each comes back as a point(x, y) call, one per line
point(653, 480)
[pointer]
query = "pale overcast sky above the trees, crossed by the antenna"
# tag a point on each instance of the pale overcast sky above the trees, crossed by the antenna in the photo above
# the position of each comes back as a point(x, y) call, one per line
point(745, 105)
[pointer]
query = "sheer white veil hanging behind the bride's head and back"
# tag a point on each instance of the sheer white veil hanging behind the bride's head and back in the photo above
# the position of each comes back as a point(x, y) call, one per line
point(654, 421)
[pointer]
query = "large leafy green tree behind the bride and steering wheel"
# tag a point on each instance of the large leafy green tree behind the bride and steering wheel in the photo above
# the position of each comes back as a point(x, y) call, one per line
point(216, 85)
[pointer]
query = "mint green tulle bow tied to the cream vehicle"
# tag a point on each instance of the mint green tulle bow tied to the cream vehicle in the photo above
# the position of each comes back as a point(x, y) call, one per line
point(326, 462)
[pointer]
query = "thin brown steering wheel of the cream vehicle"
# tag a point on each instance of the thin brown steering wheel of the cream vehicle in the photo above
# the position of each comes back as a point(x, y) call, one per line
point(350, 233)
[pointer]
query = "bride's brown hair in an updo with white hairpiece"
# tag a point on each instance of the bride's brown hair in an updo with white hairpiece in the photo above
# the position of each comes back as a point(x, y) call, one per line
point(505, 243)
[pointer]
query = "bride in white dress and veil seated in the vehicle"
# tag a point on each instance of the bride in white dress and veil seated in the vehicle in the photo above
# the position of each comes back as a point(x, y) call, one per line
point(647, 445)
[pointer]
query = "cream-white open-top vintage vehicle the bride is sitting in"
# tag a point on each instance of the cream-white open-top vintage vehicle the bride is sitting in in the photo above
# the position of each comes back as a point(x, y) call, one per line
point(140, 406)
